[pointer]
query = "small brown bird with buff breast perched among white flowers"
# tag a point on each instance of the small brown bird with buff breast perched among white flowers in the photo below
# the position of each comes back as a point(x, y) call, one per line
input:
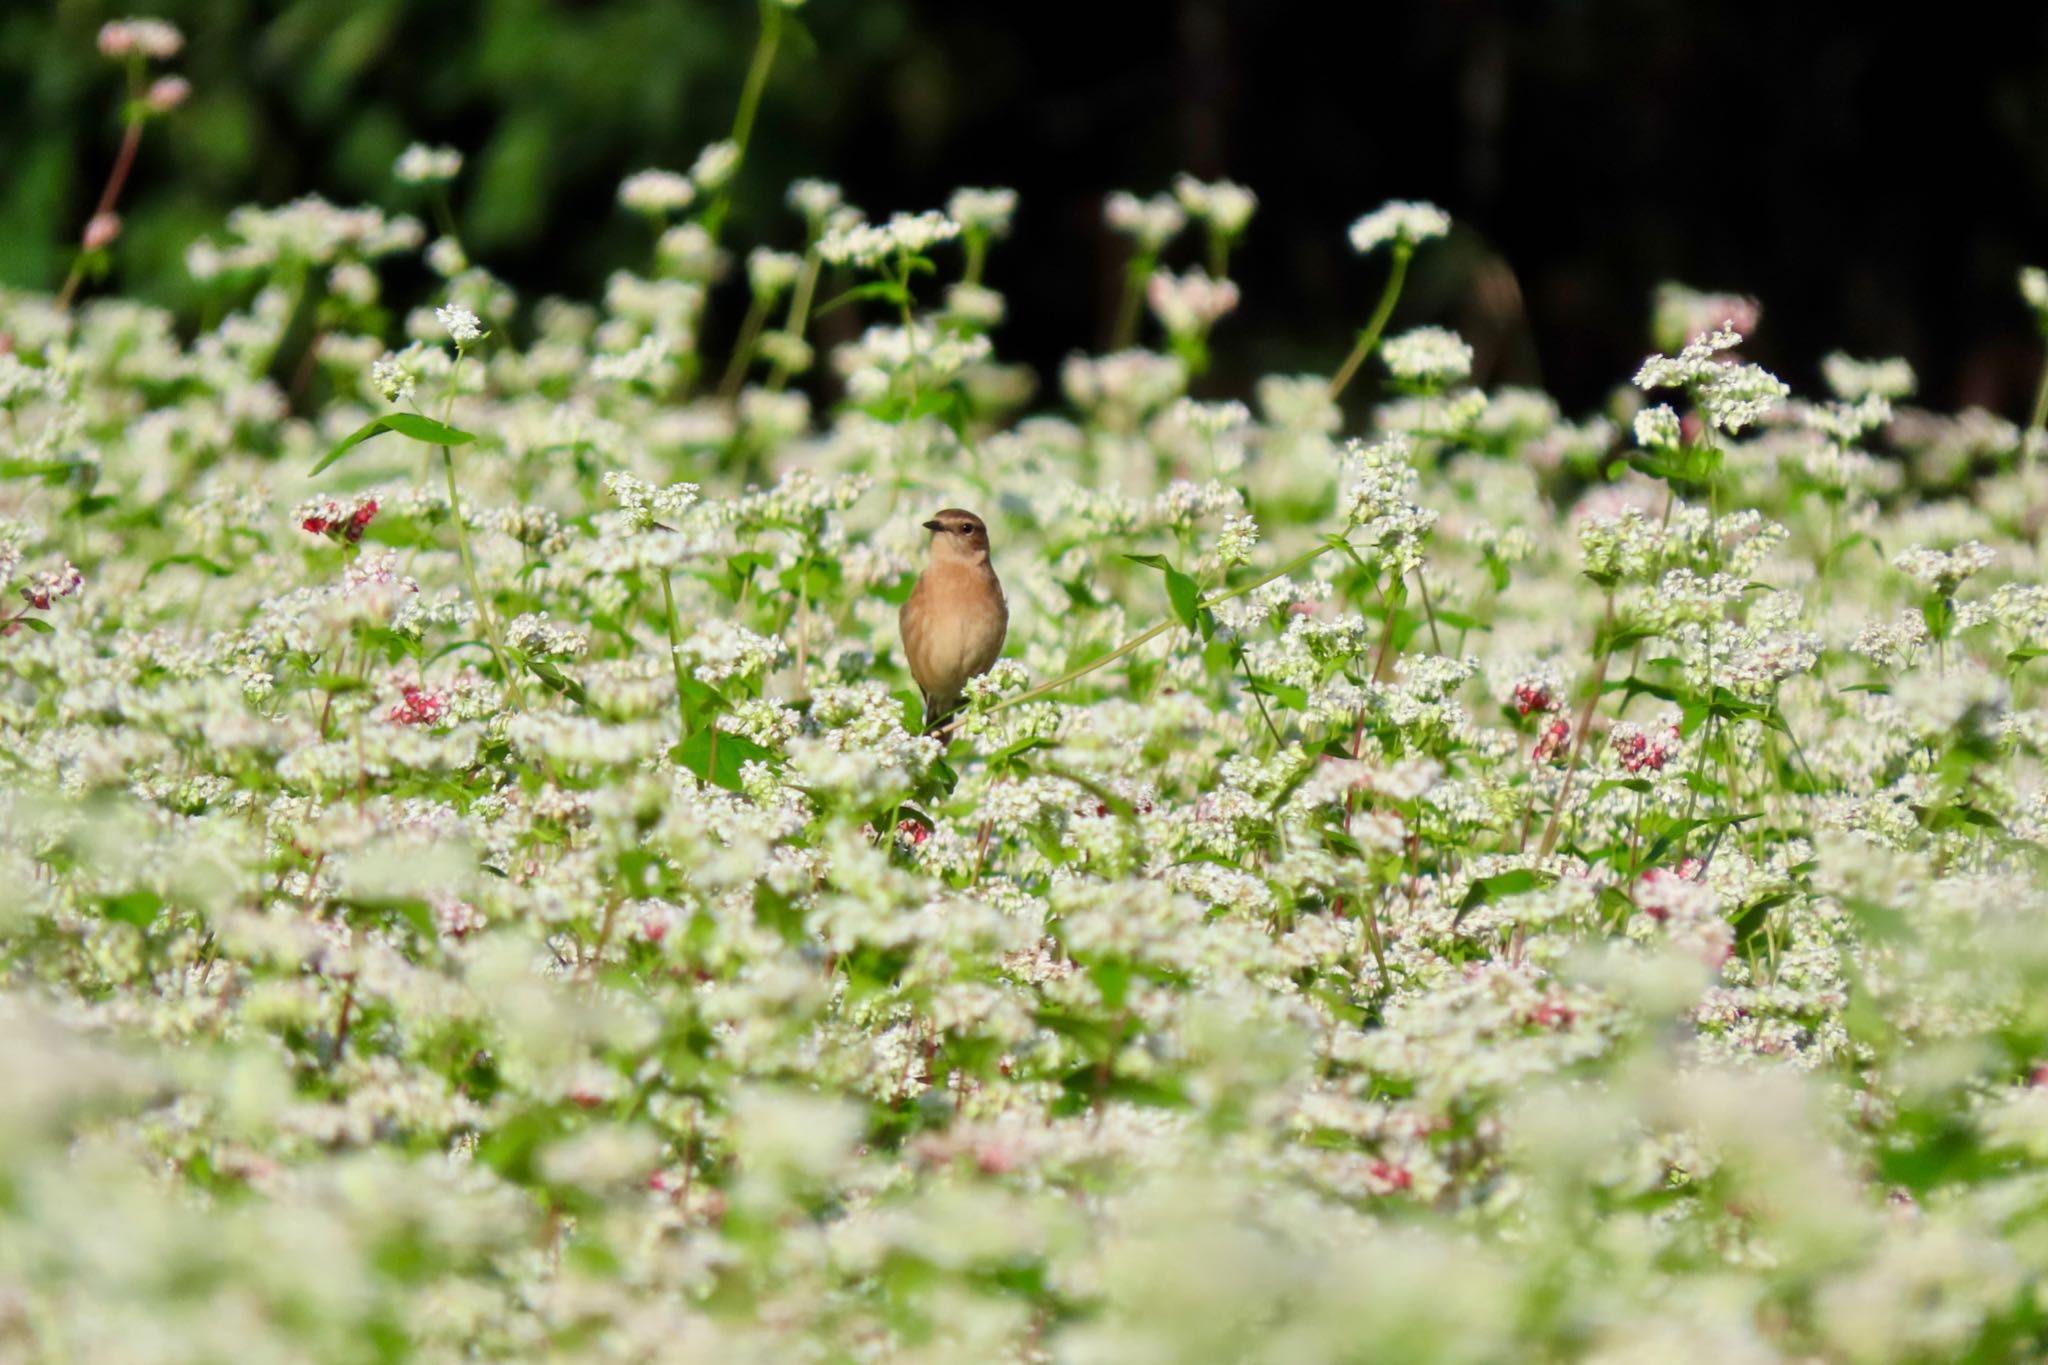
point(955, 619)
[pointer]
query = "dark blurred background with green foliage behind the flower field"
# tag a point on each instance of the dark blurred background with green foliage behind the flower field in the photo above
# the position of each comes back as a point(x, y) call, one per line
point(1875, 183)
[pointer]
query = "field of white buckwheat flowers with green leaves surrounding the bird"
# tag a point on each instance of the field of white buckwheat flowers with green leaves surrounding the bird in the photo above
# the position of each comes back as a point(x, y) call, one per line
point(1433, 877)
